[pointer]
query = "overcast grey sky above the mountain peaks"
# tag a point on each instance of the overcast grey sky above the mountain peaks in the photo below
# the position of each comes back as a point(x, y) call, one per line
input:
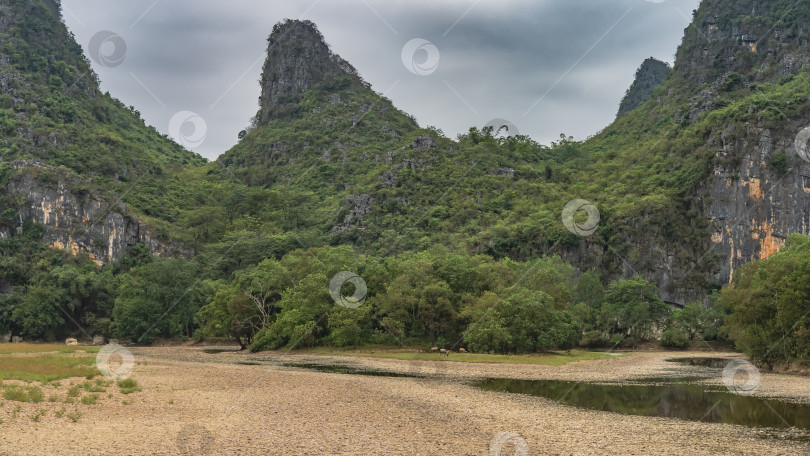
point(547, 66)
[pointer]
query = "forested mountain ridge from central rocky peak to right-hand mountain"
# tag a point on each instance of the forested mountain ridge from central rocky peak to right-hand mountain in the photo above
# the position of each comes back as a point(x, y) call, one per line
point(339, 164)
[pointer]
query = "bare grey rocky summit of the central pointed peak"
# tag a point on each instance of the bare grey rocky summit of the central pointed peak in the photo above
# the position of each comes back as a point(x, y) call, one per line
point(298, 58)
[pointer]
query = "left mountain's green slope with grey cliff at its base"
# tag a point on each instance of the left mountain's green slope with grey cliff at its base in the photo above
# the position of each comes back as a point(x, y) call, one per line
point(74, 159)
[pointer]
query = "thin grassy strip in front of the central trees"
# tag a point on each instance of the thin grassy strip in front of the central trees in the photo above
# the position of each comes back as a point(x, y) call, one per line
point(548, 359)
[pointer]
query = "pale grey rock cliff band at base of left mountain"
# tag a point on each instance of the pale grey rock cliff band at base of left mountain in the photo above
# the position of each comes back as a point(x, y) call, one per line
point(74, 220)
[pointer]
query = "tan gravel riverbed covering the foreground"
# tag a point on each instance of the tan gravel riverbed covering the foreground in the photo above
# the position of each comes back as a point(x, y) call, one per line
point(210, 404)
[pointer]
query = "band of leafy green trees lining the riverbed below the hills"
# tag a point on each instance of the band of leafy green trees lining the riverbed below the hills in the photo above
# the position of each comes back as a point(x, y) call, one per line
point(433, 297)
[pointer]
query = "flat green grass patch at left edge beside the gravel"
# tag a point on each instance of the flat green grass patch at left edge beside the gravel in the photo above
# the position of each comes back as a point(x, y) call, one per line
point(46, 367)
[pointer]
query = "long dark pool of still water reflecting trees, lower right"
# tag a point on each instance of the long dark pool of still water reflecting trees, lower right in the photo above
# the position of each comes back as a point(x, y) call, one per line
point(689, 402)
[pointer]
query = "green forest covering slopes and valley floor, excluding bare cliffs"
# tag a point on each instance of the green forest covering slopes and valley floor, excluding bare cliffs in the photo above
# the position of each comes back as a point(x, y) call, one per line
point(459, 242)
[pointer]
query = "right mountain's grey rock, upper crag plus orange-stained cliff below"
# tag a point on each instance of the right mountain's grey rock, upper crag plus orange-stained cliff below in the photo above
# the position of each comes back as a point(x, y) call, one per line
point(758, 191)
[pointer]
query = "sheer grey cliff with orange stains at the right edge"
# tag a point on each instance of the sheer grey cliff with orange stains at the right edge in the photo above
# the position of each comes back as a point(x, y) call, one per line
point(755, 205)
